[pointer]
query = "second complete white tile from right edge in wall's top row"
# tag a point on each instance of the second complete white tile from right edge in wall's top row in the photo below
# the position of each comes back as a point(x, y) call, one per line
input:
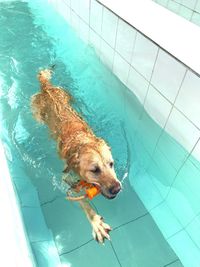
point(144, 55)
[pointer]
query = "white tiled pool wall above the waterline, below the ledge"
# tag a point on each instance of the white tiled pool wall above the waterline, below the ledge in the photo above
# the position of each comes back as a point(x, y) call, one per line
point(138, 62)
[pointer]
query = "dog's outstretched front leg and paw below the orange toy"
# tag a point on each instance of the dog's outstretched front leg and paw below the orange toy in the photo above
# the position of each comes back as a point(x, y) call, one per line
point(100, 229)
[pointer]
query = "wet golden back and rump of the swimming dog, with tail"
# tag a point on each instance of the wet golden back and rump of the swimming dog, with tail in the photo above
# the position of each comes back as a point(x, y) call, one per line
point(52, 107)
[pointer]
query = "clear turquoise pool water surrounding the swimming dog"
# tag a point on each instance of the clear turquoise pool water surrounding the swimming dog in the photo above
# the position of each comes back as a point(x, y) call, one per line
point(145, 217)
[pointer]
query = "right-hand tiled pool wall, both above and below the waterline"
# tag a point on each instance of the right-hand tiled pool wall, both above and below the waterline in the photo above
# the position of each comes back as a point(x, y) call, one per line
point(169, 92)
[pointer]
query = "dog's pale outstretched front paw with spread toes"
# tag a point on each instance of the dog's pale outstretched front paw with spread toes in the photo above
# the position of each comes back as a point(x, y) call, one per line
point(100, 229)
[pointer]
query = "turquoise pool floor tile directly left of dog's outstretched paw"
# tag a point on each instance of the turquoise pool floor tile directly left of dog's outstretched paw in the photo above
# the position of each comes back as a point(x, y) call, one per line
point(68, 224)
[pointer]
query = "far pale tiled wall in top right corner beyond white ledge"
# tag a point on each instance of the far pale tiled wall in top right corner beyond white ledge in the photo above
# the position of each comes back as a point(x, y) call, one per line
point(190, 10)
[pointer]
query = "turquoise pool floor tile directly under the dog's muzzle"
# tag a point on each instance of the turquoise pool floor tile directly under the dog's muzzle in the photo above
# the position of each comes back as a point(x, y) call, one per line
point(126, 201)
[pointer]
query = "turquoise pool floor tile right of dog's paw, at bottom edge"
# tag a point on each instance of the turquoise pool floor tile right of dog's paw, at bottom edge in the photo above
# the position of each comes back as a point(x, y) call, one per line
point(141, 243)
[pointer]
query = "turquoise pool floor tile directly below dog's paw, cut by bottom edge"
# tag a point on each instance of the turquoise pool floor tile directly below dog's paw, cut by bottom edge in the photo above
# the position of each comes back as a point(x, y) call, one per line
point(90, 255)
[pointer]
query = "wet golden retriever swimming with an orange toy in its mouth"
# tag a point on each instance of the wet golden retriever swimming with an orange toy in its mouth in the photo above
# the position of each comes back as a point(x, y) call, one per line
point(87, 156)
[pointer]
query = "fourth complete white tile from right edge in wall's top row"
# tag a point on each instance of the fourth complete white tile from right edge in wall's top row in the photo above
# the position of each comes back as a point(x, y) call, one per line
point(109, 27)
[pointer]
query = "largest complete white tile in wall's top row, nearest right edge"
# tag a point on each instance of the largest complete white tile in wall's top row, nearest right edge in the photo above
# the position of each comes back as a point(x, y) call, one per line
point(168, 75)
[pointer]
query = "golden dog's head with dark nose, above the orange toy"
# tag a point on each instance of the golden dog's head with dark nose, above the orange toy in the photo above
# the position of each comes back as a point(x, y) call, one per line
point(96, 165)
